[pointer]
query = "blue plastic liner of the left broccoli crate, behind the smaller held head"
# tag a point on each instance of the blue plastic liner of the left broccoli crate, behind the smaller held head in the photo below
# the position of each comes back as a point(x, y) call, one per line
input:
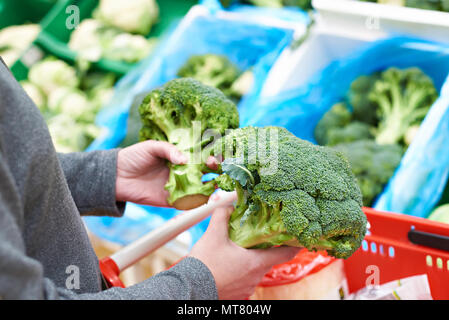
point(247, 44)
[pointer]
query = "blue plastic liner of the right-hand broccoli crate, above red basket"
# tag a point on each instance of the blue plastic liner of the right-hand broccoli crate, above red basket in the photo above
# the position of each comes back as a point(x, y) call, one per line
point(420, 178)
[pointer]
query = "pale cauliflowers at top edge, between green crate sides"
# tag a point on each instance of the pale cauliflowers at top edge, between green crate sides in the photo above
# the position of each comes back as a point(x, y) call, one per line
point(116, 31)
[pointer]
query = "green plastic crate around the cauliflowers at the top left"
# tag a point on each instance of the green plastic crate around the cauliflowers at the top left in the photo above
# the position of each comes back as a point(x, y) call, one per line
point(55, 35)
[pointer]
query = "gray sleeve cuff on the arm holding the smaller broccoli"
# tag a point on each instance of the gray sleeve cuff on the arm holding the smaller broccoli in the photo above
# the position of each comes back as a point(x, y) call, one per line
point(91, 178)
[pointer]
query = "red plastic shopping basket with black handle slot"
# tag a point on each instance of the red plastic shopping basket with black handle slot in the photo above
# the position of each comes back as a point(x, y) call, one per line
point(398, 246)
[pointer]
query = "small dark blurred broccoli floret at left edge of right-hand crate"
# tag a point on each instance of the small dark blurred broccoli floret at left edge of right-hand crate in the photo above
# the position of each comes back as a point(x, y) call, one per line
point(337, 117)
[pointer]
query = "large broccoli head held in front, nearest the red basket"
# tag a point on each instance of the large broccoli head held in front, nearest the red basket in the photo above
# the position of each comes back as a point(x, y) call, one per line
point(290, 192)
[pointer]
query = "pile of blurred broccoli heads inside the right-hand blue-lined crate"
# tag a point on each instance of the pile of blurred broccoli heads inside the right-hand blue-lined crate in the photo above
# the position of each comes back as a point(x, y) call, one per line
point(376, 122)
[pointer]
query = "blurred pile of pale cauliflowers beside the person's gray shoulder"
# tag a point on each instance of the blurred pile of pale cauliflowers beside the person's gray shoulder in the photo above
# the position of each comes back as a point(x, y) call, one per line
point(69, 101)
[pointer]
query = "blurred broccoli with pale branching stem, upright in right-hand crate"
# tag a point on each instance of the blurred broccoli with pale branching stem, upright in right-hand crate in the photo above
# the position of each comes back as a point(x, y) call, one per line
point(404, 97)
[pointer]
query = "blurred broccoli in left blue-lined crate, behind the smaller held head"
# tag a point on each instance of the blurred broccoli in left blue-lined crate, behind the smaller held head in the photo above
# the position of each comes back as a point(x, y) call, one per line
point(213, 70)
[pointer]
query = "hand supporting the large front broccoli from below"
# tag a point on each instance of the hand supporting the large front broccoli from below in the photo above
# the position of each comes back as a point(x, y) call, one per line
point(237, 271)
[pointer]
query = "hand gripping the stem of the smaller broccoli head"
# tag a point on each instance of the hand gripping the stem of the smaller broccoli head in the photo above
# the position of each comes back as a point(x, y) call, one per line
point(142, 172)
